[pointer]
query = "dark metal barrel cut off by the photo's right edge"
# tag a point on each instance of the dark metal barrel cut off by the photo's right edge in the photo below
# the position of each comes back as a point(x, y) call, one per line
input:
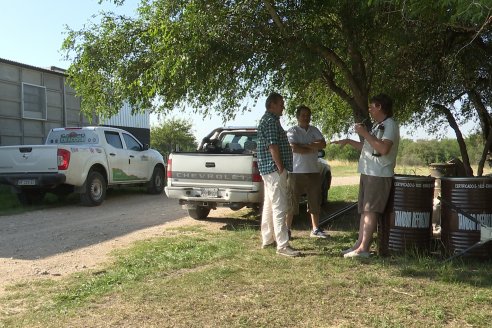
point(472, 195)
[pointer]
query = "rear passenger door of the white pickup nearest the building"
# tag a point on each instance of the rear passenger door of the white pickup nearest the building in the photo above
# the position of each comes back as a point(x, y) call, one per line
point(117, 158)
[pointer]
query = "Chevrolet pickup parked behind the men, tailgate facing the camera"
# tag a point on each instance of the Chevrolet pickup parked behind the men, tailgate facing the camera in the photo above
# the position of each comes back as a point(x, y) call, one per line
point(223, 172)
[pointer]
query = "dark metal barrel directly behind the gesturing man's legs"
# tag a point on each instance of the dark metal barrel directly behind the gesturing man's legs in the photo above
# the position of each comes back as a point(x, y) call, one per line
point(407, 221)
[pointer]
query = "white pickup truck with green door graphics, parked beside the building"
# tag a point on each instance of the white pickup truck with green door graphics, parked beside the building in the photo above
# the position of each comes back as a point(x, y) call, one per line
point(84, 160)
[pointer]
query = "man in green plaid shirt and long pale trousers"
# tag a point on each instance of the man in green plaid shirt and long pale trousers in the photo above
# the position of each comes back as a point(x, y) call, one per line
point(274, 162)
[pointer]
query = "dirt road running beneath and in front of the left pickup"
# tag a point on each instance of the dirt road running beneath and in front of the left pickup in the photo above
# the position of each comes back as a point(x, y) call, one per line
point(51, 253)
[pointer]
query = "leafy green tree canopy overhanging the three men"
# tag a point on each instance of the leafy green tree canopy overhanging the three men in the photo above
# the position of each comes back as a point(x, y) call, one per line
point(330, 54)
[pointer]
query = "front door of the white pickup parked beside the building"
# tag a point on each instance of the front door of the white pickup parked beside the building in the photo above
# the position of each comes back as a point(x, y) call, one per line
point(139, 167)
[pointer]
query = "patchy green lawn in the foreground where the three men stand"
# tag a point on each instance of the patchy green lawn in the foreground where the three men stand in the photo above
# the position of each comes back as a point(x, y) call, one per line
point(196, 276)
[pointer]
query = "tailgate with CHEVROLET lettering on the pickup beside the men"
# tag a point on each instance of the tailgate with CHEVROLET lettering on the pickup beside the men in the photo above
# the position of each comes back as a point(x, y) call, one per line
point(212, 170)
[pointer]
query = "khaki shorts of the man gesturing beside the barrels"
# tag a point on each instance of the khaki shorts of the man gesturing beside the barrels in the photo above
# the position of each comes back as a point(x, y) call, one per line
point(373, 193)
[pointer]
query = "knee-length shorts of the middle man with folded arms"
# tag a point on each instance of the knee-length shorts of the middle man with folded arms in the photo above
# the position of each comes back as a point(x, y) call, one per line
point(309, 184)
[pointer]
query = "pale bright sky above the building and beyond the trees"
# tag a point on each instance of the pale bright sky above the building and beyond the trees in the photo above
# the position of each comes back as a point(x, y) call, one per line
point(32, 32)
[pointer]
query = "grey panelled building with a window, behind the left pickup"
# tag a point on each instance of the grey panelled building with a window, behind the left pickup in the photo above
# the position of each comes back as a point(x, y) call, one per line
point(34, 100)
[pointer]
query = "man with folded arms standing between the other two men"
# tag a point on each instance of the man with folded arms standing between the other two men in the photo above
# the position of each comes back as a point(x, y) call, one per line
point(306, 140)
